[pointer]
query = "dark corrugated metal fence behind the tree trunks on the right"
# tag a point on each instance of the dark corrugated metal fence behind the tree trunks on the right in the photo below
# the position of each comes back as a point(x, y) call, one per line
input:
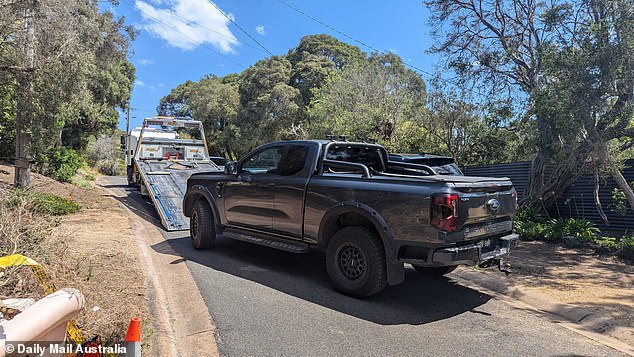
point(577, 201)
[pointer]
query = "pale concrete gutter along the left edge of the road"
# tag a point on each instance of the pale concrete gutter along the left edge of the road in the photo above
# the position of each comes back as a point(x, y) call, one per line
point(182, 325)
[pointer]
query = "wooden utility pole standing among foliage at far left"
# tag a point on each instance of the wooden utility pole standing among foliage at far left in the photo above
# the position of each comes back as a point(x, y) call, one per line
point(23, 120)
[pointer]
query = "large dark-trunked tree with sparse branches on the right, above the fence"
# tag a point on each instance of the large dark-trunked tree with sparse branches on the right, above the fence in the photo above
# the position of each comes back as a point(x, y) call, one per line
point(512, 46)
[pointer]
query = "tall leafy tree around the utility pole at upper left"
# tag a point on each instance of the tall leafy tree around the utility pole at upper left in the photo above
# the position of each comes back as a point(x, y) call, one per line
point(69, 65)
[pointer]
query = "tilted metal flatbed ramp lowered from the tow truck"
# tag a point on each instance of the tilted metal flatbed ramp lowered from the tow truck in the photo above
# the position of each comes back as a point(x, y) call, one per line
point(166, 183)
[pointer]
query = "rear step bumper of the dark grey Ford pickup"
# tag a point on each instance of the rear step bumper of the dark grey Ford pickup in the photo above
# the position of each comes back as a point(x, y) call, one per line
point(478, 253)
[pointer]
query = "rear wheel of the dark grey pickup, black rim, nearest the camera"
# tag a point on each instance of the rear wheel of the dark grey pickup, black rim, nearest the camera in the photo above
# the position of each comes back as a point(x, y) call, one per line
point(355, 261)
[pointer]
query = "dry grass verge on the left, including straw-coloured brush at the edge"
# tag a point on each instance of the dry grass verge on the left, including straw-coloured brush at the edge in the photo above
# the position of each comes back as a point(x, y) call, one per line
point(93, 251)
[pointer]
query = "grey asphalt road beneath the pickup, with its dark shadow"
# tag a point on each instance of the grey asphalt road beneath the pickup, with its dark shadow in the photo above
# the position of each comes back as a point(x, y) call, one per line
point(268, 302)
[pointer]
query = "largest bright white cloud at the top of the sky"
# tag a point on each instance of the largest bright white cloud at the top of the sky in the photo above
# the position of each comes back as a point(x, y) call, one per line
point(177, 22)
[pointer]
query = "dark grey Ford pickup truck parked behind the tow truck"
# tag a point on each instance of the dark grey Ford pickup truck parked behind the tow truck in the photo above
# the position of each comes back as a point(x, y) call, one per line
point(370, 215)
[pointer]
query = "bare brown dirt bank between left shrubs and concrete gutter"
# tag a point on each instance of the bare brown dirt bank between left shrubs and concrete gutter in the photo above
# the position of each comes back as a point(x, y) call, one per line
point(94, 251)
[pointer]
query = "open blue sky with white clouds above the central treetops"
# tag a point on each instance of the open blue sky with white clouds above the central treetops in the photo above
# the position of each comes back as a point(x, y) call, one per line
point(183, 40)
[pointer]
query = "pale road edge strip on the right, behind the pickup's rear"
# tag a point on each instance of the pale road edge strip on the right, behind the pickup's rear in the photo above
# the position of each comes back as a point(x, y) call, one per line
point(601, 329)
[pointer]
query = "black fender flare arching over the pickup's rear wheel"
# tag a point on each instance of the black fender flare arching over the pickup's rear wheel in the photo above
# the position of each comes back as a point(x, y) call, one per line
point(395, 269)
